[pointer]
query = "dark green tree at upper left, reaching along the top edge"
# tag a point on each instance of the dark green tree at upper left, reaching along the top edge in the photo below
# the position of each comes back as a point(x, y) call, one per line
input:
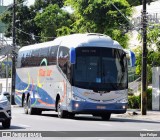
point(27, 31)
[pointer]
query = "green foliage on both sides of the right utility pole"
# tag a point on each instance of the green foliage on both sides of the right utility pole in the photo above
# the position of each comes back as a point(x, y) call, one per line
point(153, 55)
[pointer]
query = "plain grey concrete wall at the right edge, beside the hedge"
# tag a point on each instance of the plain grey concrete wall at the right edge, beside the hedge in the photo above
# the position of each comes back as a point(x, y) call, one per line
point(156, 88)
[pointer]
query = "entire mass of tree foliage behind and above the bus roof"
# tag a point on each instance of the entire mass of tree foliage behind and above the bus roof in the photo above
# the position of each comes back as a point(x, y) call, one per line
point(47, 19)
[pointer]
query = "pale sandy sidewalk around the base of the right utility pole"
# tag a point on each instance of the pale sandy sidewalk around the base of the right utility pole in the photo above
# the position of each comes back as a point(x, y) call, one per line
point(136, 114)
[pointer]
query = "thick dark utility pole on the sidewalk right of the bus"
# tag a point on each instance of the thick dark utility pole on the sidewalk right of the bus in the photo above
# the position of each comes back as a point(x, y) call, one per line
point(144, 62)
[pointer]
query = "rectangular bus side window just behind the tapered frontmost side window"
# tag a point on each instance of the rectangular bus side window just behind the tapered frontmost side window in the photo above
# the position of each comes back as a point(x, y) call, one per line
point(52, 58)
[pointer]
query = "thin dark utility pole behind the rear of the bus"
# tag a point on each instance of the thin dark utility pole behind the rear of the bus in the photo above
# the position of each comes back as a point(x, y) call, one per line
point(13, 54)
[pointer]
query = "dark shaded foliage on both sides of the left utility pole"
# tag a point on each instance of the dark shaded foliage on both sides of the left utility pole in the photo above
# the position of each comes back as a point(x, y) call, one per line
point(24, 22)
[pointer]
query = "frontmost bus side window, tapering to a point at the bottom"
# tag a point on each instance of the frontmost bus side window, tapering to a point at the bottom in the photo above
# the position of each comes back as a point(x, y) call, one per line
point(63, 59)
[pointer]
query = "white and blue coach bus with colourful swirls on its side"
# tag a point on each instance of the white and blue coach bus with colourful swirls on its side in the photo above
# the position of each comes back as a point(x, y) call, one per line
point(74, 74)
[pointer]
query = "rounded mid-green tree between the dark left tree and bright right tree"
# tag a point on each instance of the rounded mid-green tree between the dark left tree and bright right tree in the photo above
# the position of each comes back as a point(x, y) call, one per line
point(53, 22)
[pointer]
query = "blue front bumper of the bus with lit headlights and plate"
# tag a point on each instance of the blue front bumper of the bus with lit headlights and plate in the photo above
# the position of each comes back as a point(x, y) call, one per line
point(90, 107)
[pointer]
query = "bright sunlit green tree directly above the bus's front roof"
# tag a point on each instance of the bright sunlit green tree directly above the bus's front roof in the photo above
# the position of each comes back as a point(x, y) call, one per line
point(102, 16)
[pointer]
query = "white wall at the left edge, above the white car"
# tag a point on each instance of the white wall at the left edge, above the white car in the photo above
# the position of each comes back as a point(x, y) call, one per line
point(3, 84)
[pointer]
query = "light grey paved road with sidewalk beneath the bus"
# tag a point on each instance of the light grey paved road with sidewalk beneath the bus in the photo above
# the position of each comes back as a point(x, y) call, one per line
point(118, 125)
